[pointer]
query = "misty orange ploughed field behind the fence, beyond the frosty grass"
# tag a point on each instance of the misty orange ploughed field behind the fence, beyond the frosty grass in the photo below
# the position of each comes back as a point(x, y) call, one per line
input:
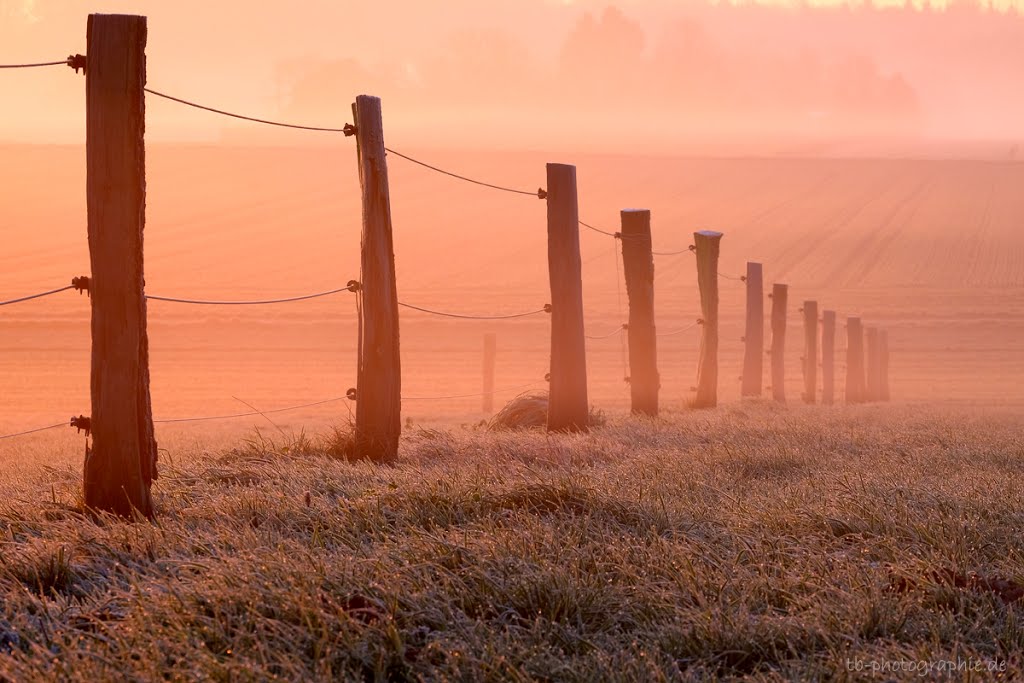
point(931, 249)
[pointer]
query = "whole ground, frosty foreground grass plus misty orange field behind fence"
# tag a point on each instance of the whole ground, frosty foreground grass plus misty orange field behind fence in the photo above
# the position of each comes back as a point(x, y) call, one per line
point(751, 541)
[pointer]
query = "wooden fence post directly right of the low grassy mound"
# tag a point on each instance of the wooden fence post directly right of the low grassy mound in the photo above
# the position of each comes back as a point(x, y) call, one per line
point(568, 406)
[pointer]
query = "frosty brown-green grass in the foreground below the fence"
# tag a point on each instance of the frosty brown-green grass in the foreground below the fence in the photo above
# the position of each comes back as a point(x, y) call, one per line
point(750, 542)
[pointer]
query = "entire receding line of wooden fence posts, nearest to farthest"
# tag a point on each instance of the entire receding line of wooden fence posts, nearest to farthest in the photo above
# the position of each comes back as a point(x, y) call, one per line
point(121, 462)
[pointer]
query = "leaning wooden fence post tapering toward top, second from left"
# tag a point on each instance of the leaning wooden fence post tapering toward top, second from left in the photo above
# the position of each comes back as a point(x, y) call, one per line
point(378, 407)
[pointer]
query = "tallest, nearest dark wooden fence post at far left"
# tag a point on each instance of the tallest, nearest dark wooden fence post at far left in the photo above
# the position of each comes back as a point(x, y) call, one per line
point(121, 464)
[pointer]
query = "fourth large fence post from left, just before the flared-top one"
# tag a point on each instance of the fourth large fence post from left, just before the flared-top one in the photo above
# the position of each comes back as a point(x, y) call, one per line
point(638, 267)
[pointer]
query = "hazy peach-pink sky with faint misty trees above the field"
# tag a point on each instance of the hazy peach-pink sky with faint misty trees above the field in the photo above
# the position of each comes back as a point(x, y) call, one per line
point(528, 73)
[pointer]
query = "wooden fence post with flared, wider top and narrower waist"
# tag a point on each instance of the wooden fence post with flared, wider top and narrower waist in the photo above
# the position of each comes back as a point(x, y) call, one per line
point(708, 244)
